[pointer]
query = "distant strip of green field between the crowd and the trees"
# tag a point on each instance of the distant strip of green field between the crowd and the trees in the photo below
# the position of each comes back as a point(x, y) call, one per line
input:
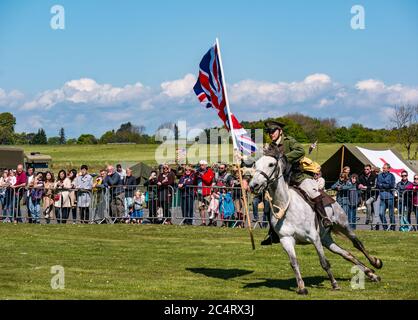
point(98, 156)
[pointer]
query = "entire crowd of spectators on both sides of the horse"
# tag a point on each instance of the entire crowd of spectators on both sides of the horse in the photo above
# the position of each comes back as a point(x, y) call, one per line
point(213, 192)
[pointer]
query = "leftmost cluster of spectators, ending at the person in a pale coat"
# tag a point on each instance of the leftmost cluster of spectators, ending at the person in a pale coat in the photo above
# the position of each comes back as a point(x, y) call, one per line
point(42, 194)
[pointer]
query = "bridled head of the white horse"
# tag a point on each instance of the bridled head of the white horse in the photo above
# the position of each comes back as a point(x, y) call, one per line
point(267, 170)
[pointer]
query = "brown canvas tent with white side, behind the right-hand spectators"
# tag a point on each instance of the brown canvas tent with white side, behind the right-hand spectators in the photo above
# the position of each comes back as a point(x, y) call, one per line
point(352, 156)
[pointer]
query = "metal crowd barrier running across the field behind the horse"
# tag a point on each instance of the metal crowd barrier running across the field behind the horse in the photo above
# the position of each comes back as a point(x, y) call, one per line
point(193, 205)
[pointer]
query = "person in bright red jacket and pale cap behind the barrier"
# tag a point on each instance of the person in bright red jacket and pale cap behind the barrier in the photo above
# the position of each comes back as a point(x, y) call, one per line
point(205, 180)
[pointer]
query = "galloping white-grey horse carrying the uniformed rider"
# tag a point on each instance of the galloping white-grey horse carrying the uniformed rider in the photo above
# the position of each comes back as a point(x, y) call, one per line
point(299, 226)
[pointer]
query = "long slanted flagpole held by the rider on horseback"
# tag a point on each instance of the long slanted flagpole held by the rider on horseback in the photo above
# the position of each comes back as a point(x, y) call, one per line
point(234, 142)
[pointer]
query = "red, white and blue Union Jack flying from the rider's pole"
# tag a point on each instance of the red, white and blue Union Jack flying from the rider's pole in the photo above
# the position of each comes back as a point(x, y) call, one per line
point(211, 94)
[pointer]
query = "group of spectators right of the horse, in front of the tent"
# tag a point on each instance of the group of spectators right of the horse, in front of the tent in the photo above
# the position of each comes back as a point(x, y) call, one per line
point(377, 192)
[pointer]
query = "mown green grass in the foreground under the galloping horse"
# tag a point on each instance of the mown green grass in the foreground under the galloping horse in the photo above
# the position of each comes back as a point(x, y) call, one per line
point(172, 262)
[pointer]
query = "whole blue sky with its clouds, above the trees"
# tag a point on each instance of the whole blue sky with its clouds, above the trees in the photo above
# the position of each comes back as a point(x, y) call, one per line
point(135, 60)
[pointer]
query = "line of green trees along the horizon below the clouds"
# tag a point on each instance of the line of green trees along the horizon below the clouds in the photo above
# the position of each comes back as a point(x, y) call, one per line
point(305, 129)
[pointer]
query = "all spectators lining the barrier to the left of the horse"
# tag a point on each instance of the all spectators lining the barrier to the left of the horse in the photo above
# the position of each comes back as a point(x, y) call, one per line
point(213, 190)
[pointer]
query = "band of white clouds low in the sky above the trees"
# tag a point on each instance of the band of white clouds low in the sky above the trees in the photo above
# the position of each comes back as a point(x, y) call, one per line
point(84, 101)
